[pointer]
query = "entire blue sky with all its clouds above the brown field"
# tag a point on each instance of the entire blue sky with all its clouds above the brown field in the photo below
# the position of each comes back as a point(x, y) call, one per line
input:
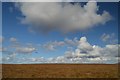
point(56, 32)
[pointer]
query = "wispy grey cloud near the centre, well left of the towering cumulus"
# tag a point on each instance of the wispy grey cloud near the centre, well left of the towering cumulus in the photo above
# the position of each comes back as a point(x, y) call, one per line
point(53, 45)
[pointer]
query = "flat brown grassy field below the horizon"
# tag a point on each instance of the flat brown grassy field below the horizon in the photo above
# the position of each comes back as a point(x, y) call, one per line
point(60, 70)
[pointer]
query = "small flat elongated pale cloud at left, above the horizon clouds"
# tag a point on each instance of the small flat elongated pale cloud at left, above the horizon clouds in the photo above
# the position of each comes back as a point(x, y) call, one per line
point(25, 49)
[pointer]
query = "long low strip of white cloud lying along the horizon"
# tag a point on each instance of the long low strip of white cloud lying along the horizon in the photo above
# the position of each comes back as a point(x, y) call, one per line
point(62, 59)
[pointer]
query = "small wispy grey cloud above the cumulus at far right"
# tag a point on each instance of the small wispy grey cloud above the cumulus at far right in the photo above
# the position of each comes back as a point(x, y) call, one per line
point(109, 38)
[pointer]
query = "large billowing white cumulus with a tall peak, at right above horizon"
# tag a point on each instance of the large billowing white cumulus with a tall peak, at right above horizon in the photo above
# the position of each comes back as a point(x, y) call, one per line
point(92, 53)
